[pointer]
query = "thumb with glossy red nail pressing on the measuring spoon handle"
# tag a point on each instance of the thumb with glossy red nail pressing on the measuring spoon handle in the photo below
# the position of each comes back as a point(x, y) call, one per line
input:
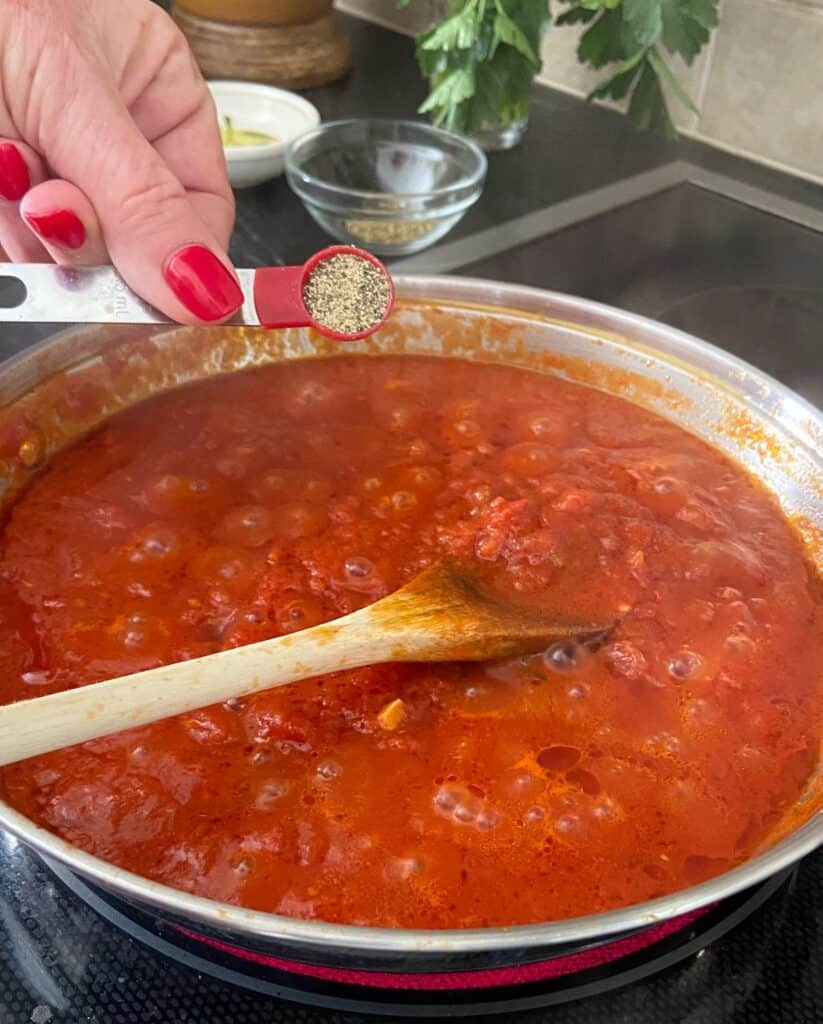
point(154, 234)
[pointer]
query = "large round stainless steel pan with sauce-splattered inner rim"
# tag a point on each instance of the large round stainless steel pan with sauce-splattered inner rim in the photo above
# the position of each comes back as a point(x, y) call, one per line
point(65, 386)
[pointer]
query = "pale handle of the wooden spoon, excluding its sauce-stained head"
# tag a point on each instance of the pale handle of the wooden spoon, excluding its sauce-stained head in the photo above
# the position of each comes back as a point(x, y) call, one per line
point(42, 724)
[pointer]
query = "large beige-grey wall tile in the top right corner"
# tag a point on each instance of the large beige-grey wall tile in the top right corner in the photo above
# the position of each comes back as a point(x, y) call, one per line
point(764, 96)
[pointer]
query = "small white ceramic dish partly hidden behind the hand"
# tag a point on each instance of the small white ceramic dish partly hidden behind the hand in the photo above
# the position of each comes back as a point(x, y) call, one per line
point(262, 108)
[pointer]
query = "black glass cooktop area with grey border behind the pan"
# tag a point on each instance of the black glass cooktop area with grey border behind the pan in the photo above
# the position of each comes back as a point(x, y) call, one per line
point(731, 265)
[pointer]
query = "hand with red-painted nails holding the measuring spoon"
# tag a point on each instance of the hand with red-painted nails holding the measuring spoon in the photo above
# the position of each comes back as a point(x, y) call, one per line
point(110, 152)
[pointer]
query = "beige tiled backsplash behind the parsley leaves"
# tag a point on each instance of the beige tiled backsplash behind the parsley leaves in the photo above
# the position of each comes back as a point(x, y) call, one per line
point(759, 84)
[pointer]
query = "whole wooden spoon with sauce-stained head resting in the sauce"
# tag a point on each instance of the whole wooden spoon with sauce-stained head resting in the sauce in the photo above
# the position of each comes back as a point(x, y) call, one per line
point(444, 615)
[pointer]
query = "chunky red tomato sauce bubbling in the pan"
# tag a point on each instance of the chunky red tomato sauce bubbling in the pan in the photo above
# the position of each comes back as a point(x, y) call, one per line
point(435, 796)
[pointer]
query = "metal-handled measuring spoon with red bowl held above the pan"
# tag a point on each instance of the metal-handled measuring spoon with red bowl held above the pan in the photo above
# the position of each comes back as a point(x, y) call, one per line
point(274, 295)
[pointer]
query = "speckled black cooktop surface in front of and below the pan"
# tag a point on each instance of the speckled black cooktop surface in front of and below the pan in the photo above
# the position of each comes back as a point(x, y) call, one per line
point(71, 956)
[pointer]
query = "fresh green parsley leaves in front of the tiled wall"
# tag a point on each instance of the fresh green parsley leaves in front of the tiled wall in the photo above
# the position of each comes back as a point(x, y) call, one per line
point(483, 58)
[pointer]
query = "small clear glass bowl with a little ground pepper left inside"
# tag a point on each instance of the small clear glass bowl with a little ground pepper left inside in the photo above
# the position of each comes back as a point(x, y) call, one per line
point(393, 187)
